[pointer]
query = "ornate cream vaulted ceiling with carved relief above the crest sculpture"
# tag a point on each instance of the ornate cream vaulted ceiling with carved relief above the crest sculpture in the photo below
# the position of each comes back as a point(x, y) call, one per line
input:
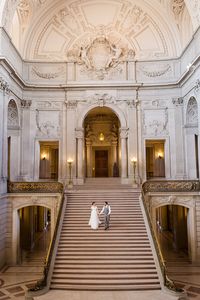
point(53, 30)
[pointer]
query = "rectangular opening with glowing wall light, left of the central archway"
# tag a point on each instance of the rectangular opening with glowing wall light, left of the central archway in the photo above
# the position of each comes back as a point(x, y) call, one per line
point(49, 160)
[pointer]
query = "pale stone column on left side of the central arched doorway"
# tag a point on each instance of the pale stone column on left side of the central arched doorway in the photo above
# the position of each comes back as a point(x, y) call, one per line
point(79, 137)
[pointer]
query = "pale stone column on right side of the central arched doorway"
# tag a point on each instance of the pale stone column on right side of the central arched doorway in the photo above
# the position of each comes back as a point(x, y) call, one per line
point(123, 136)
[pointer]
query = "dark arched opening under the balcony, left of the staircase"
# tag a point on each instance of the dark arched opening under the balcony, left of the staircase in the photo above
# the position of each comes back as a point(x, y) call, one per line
point(34, 233)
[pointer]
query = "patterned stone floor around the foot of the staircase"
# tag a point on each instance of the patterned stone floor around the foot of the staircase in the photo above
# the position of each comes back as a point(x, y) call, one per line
point(14, 281)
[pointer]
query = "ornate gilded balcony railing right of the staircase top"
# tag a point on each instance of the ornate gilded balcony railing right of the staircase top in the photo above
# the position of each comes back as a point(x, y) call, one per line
point(171, 186)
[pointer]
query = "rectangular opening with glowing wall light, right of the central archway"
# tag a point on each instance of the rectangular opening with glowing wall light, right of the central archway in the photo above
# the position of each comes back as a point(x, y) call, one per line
point(155, 158)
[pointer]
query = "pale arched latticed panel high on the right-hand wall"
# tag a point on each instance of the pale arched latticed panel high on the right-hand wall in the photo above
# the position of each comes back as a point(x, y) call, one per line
point(192, 112)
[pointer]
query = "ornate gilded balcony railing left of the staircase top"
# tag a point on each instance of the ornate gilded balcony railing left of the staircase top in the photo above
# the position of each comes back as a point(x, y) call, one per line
point(35, 187)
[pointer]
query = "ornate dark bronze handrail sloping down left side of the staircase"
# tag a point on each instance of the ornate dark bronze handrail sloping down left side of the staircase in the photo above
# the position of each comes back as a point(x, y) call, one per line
point(42, 284)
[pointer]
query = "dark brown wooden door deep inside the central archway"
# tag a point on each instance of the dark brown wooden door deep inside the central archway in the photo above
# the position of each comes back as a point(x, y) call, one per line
point(101, 163)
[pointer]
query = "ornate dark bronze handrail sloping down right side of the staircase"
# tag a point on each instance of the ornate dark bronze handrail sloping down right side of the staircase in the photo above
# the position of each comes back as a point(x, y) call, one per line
point(168, 283)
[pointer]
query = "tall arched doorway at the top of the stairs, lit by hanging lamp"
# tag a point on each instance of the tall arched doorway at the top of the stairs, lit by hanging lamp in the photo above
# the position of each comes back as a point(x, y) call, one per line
point(102, 143)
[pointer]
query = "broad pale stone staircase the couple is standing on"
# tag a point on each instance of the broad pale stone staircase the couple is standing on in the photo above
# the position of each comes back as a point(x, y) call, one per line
point(116, 259)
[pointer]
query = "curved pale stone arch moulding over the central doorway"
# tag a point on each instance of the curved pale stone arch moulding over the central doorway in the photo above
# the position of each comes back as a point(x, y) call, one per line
point(114, 108)
